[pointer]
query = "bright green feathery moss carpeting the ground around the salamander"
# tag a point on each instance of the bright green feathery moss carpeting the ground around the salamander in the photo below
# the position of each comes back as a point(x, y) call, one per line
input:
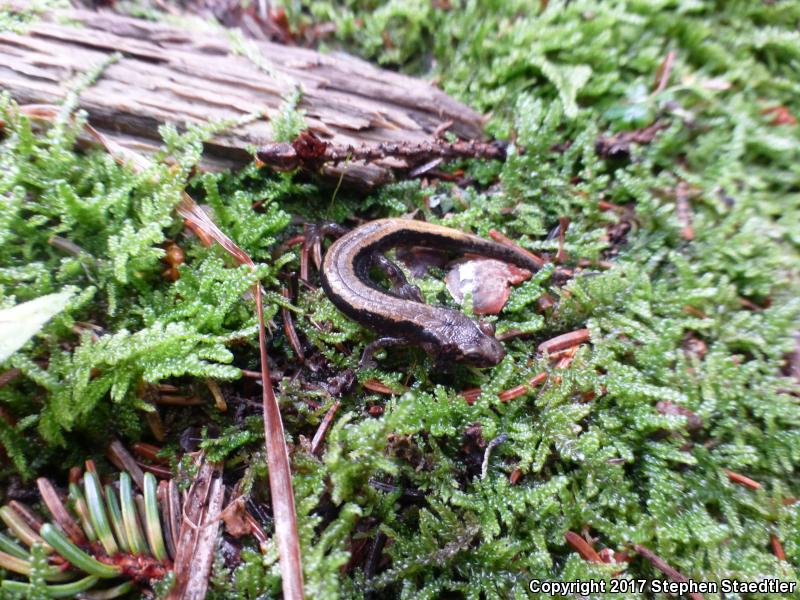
point(705, 323)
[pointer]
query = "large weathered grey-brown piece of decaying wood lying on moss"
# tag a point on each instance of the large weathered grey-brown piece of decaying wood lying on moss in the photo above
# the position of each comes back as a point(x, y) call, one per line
point(173, 75)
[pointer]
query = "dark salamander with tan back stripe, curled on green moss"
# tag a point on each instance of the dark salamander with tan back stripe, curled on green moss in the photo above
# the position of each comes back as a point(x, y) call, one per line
point(445, 333)
